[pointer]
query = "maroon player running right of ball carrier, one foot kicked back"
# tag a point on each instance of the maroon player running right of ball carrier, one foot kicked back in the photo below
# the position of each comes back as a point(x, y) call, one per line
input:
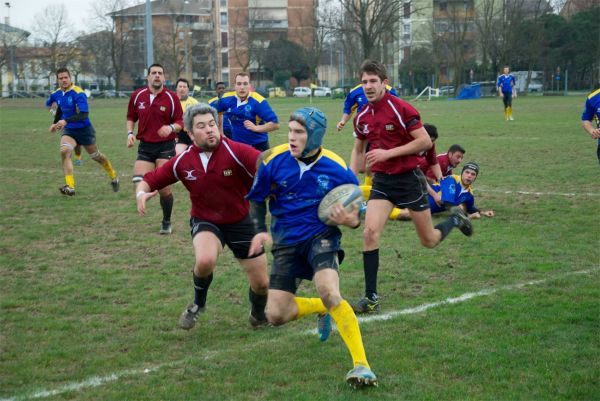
point(397, 136)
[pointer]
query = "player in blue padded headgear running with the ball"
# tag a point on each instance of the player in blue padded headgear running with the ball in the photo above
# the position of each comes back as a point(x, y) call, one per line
point(295, 177)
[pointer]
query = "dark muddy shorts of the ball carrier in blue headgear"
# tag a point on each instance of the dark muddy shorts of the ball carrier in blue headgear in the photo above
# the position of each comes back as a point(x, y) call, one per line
point(293, 263)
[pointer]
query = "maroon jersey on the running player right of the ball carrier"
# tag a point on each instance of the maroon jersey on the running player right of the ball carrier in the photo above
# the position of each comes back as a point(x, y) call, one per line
point(386, 125)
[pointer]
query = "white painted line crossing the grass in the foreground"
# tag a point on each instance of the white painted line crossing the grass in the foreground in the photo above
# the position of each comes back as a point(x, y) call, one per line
point(96, 381)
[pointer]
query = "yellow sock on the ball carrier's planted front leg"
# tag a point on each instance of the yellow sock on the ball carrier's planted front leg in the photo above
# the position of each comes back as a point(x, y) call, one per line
point(347, 325)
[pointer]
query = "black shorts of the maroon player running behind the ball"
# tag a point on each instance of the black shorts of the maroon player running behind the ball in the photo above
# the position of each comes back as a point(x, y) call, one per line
point(406, 190)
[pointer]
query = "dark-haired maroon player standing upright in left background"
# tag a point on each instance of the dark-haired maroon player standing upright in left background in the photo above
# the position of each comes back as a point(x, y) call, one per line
point(158, 114)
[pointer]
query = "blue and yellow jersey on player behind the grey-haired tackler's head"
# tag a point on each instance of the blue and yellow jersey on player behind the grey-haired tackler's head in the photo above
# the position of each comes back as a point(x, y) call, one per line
point(255, 108)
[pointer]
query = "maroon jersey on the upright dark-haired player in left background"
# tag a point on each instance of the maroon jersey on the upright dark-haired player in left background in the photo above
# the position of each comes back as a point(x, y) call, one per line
point(165, 109)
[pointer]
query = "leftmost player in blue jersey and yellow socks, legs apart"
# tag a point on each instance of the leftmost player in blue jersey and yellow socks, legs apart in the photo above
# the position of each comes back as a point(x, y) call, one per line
point(77, 129)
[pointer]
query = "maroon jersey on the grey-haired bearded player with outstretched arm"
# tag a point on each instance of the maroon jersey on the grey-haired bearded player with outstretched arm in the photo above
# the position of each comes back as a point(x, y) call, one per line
point(217, 192)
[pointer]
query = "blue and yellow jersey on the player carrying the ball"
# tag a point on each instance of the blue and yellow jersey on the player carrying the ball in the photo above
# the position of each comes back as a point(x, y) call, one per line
point(295, 190)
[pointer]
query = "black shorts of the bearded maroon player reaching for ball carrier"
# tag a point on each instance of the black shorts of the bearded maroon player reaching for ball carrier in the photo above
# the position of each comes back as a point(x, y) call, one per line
point(236, 236)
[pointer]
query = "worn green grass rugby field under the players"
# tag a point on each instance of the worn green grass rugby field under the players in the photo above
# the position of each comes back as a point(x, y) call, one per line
point(90, 294)
